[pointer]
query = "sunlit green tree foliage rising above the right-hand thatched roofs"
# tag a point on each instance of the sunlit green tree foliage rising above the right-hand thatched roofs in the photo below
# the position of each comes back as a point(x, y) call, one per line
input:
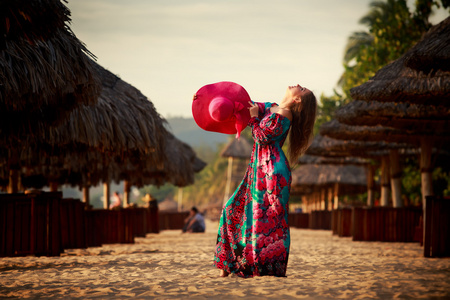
point(392, 30)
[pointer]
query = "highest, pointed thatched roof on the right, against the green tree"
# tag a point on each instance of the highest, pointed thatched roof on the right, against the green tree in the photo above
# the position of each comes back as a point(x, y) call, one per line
point(421, 75)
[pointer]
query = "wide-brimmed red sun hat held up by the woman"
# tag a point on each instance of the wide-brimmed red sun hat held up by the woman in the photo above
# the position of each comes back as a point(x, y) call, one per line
point(222, 107)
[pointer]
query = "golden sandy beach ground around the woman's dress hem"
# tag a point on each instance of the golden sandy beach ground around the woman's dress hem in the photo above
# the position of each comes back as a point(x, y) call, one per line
point(172, 265)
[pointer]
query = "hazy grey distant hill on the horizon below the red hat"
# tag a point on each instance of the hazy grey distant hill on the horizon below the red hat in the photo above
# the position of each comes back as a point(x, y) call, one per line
point(188, 131)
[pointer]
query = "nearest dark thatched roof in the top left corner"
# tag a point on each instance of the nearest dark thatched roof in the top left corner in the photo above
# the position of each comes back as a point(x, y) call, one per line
point(45, 70)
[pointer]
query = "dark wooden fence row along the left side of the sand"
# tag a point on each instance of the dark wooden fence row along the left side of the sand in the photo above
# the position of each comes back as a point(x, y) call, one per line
point(45, 224)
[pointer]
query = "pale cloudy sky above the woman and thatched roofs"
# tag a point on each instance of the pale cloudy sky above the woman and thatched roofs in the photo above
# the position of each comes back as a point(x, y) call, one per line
point(168, 49)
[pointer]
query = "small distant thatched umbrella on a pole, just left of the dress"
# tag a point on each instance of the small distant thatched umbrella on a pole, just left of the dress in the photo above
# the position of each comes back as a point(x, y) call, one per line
point(236, 148)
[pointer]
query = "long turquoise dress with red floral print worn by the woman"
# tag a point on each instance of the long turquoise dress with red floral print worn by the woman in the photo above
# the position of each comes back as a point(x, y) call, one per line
point(253, 237)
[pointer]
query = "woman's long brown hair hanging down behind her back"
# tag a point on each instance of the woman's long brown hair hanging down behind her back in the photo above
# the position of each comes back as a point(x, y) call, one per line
point(303, 118)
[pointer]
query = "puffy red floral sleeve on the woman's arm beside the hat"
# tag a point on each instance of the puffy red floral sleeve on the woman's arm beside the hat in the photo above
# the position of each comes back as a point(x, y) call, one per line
point(265, 131)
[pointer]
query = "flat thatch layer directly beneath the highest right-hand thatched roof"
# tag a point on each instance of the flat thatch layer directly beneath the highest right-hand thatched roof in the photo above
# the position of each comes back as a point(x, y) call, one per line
point(428, 118)
